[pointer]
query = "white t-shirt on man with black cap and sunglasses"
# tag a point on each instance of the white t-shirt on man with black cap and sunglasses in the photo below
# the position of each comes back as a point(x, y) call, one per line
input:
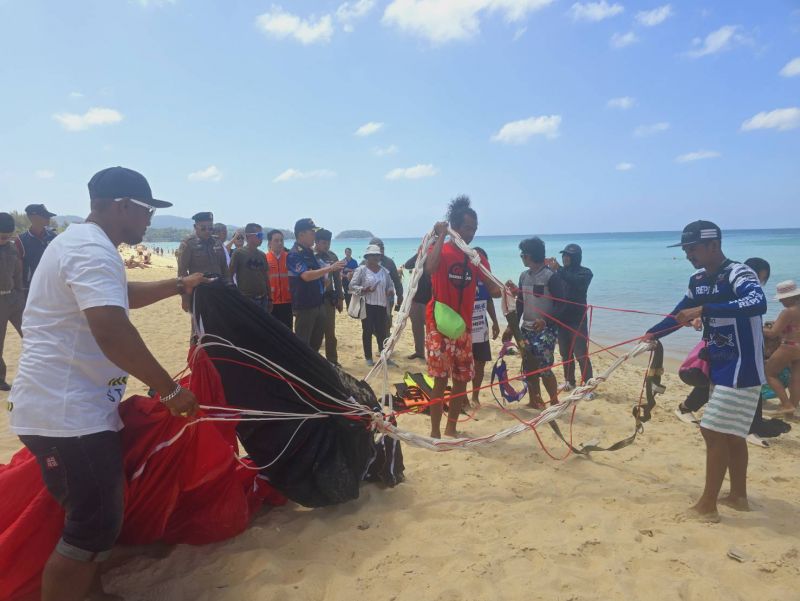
point(66, 386)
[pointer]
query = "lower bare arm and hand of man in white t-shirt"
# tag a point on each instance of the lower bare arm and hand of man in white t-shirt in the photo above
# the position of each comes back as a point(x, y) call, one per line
point(123, 346)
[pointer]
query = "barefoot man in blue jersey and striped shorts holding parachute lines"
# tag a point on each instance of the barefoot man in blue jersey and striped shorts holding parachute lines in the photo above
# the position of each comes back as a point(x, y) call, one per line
point(728, 298)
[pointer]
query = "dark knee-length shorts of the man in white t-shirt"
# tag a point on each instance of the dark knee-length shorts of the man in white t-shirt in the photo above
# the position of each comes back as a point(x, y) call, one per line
point(85, 475)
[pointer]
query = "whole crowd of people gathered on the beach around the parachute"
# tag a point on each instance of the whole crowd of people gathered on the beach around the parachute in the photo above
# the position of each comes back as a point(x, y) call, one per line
point(79, 345)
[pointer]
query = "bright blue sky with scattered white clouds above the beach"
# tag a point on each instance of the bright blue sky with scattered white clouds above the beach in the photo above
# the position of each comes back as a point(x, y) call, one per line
point(553, 116)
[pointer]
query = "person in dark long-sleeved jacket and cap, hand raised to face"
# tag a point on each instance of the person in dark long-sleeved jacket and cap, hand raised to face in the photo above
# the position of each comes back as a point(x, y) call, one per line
point(573, 331)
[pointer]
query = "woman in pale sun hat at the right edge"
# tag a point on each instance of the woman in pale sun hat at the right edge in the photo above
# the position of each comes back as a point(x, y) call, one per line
point(787, 328)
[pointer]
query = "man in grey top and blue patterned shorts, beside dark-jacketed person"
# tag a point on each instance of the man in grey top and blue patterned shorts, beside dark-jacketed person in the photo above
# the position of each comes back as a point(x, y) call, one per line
point(537, 303)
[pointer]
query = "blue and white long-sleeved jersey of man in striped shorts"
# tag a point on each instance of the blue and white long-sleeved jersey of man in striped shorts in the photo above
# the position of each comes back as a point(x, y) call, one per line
point(733, 303)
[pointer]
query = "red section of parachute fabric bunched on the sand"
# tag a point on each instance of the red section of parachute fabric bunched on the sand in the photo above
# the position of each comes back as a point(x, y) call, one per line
point(184, 485)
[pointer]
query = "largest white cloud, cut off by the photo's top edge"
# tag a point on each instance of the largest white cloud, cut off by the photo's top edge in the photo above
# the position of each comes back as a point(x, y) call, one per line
point(441, 21)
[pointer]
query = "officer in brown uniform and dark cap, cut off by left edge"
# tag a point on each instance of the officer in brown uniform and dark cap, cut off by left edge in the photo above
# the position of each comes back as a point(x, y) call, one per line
point(11, 297)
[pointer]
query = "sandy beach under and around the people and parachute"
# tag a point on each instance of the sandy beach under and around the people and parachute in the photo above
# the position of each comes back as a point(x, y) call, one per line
point(502, 523)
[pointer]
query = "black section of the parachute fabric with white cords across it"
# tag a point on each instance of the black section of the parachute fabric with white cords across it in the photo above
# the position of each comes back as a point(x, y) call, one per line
point(315, 462)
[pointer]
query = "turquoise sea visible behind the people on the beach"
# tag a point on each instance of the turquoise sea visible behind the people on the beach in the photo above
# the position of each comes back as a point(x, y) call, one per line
point(631, 271)
